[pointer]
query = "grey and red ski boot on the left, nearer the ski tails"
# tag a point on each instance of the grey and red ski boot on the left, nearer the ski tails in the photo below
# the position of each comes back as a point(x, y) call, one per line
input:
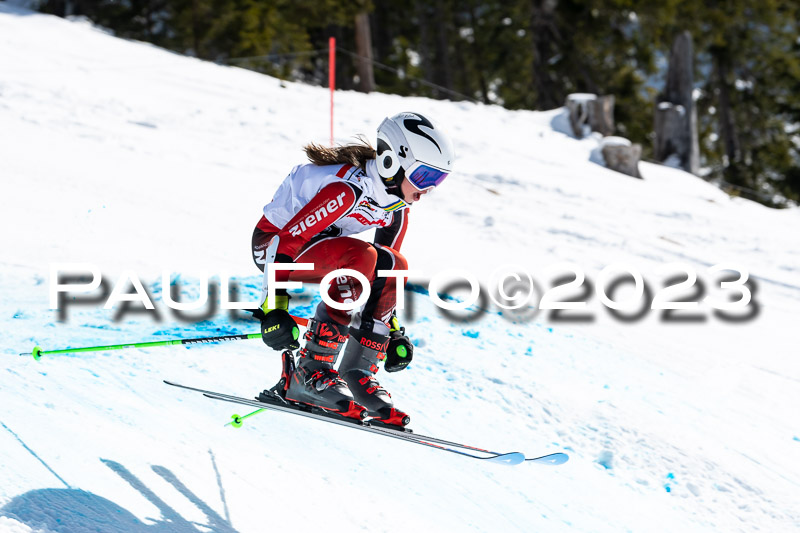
point(314, 382)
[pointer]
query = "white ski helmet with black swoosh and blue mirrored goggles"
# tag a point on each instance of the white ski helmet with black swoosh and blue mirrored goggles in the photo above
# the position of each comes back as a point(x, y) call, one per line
point(410, 146)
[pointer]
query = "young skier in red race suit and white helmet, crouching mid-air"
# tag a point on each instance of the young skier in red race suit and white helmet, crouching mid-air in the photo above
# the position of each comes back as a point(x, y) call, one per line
point(347, 190)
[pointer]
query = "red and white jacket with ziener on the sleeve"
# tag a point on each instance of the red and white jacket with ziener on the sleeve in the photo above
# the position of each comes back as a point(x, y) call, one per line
point(315, 202)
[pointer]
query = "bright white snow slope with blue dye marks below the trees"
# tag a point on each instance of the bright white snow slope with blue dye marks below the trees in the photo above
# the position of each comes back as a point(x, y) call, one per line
point(129, 157)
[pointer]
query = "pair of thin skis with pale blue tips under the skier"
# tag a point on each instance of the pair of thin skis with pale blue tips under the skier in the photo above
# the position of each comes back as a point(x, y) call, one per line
point(371, 426)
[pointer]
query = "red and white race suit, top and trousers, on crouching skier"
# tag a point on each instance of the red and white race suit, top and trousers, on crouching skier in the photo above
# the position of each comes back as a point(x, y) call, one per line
point(314, 212)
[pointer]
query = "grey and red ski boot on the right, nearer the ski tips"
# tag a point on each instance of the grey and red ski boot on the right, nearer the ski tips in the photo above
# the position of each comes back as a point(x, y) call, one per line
point(358, 368)
